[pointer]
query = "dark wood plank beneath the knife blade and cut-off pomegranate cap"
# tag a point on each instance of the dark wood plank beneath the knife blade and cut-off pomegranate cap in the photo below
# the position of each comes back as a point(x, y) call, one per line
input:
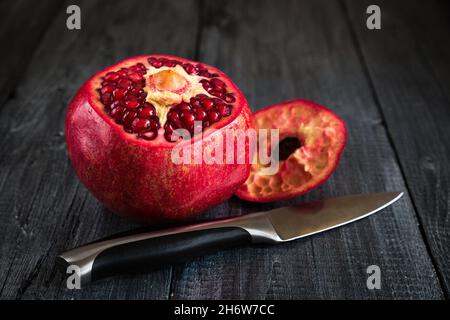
point(277, 50)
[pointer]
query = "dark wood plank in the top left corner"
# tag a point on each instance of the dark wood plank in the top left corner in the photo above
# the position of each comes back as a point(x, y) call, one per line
point(21, 29)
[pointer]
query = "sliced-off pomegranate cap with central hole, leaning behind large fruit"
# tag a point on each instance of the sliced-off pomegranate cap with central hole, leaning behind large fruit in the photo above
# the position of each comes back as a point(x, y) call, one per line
point(311, 140)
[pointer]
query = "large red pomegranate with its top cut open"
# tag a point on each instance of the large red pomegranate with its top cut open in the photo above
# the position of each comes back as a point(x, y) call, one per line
point(120, 132)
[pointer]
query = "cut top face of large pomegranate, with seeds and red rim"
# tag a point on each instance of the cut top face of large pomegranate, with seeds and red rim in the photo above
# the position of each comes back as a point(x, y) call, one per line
point(149, 97)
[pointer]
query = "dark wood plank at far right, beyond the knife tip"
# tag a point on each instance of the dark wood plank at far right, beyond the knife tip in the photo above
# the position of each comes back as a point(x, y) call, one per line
point(407, 61)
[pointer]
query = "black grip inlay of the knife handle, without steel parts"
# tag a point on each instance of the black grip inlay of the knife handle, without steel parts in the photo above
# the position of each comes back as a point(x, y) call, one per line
point(149, 254)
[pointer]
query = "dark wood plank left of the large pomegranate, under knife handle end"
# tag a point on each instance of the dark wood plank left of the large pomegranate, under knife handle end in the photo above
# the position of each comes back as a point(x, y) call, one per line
point(44, 209)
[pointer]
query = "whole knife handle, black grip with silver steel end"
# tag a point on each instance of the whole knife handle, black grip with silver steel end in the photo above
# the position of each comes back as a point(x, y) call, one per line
point(150, 253)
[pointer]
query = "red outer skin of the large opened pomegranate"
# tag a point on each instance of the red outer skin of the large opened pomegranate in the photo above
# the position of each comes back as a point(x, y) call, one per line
point(137, 179)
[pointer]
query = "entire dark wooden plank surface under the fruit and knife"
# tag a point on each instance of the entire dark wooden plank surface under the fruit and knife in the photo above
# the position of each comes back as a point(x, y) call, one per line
point(391, 86)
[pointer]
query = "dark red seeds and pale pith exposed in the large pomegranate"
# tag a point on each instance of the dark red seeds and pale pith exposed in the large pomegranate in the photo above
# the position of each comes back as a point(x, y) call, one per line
point(166, 84)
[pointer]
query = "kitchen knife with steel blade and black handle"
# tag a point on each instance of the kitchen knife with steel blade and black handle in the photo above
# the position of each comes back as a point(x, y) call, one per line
point(150, 250)
